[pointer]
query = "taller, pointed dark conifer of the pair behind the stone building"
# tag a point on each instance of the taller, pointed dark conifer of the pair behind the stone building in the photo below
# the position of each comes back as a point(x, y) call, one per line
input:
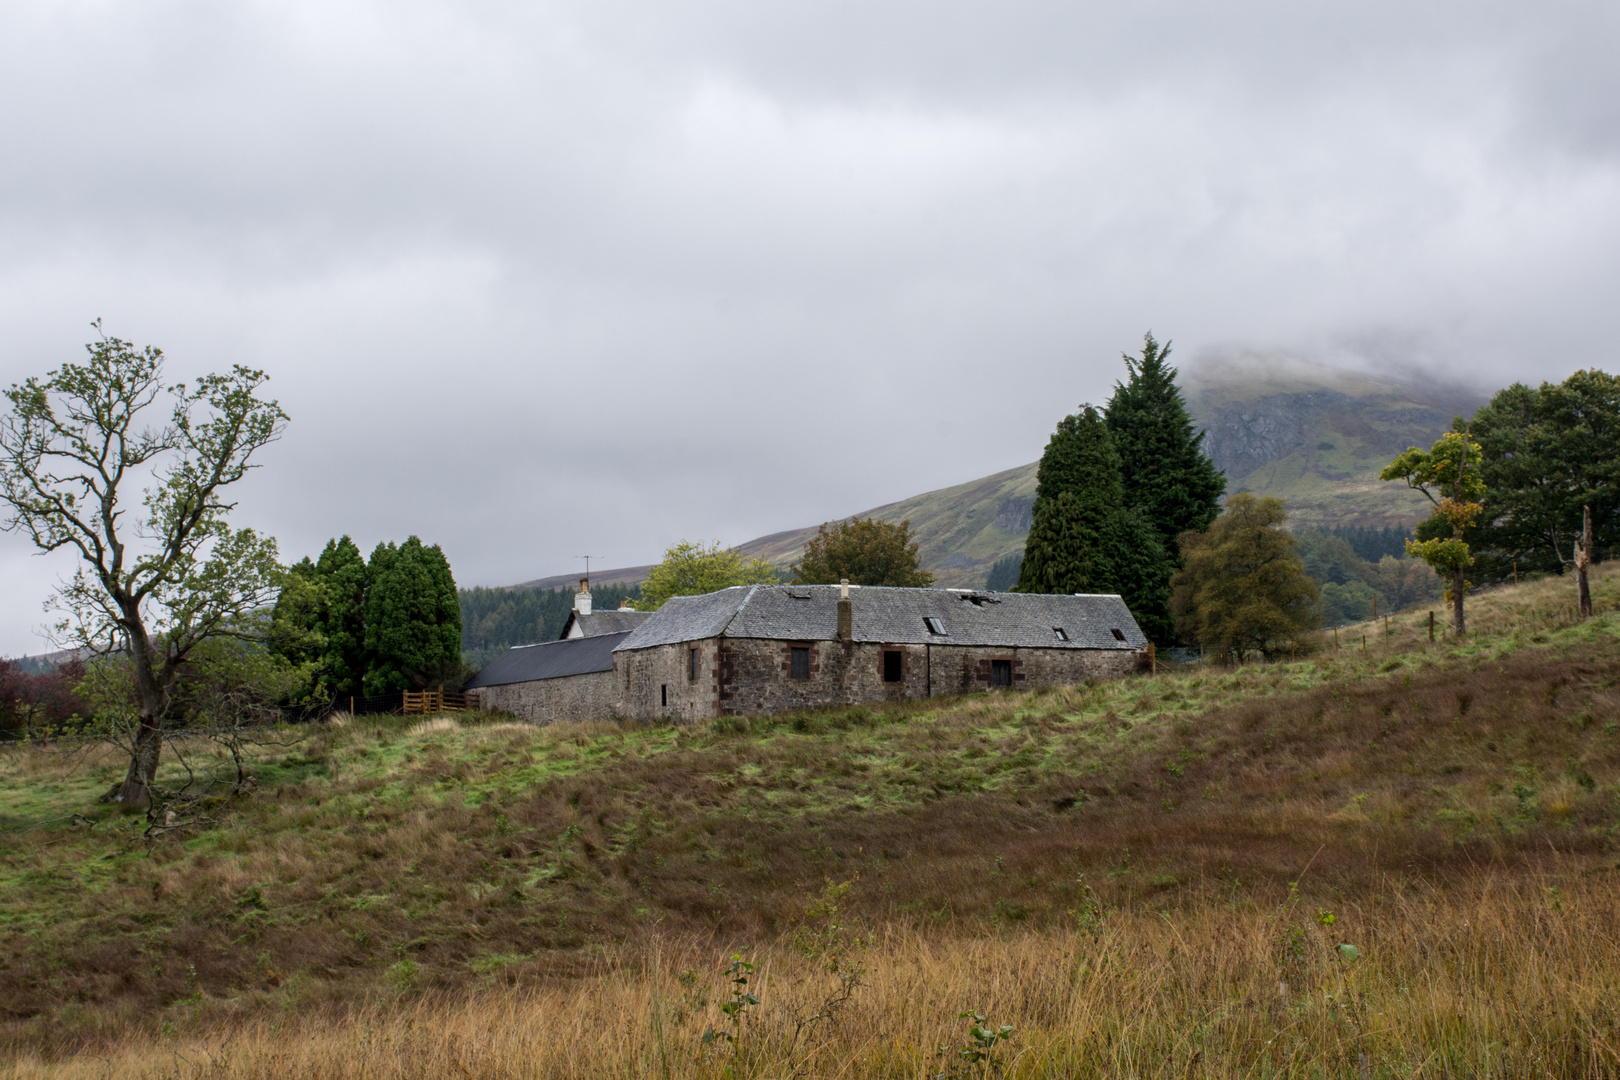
point(1167, 475)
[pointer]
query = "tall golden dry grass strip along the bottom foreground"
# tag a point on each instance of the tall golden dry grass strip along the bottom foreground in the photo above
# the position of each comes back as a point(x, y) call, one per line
point(1485, 980)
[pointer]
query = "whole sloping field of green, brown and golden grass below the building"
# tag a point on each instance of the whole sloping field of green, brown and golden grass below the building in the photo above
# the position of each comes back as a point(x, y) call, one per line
point(1145, 878)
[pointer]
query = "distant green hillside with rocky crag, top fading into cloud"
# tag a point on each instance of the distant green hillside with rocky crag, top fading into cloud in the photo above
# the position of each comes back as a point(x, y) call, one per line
point(1310, 435)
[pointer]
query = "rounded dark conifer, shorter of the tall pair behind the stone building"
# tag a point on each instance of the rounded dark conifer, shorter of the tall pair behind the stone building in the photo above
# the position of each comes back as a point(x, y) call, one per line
point(1085, 538)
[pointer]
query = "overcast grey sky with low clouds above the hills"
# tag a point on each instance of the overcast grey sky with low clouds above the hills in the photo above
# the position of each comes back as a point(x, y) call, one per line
point(547, 279)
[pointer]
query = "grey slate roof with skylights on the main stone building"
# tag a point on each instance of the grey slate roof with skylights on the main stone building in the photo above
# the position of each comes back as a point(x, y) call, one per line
point(893, 616)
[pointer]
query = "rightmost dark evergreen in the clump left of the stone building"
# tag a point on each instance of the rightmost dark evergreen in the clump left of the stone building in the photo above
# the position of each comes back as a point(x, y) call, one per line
point(414, 621)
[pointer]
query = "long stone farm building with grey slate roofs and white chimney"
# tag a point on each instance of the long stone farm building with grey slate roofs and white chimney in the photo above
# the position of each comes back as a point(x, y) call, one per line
point(774, 648)
